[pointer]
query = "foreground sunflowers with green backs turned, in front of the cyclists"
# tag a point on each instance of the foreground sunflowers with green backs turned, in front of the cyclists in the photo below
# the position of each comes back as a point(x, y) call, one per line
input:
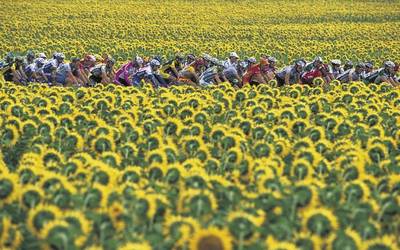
point(184, 168)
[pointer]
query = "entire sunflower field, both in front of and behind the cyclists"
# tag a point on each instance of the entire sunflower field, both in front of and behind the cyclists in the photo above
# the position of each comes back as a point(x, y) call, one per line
point(185, 168)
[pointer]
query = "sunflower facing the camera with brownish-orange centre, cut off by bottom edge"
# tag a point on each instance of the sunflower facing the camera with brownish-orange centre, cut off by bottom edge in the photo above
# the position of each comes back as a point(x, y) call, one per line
point(211, 238)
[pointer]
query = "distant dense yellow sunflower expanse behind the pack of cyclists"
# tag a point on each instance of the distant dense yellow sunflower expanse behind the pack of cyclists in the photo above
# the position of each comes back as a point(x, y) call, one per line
point(287, 30)
